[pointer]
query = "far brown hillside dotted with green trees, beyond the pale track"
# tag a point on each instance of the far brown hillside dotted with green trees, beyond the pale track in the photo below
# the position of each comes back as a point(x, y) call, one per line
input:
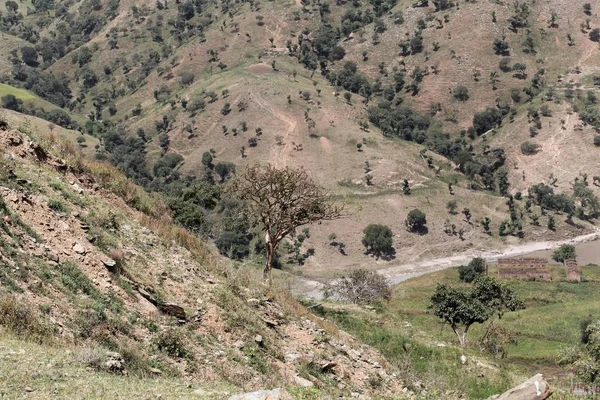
point(364, 95)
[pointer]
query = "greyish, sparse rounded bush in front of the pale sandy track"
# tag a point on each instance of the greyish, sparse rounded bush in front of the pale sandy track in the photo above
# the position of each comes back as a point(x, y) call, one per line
point(360, 286)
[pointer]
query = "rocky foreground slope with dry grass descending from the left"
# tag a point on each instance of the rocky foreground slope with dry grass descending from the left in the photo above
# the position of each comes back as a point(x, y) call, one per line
point(91, 269)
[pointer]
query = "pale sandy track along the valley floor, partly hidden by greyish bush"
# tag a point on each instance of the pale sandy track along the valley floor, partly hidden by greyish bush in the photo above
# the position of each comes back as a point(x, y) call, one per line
point(401, 273)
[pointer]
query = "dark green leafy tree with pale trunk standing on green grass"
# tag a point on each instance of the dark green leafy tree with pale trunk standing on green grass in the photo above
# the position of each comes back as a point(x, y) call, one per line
point(462, 307)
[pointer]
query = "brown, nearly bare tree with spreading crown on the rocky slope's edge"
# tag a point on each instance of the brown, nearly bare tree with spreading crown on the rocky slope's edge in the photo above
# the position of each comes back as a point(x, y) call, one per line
point(281, 200)
